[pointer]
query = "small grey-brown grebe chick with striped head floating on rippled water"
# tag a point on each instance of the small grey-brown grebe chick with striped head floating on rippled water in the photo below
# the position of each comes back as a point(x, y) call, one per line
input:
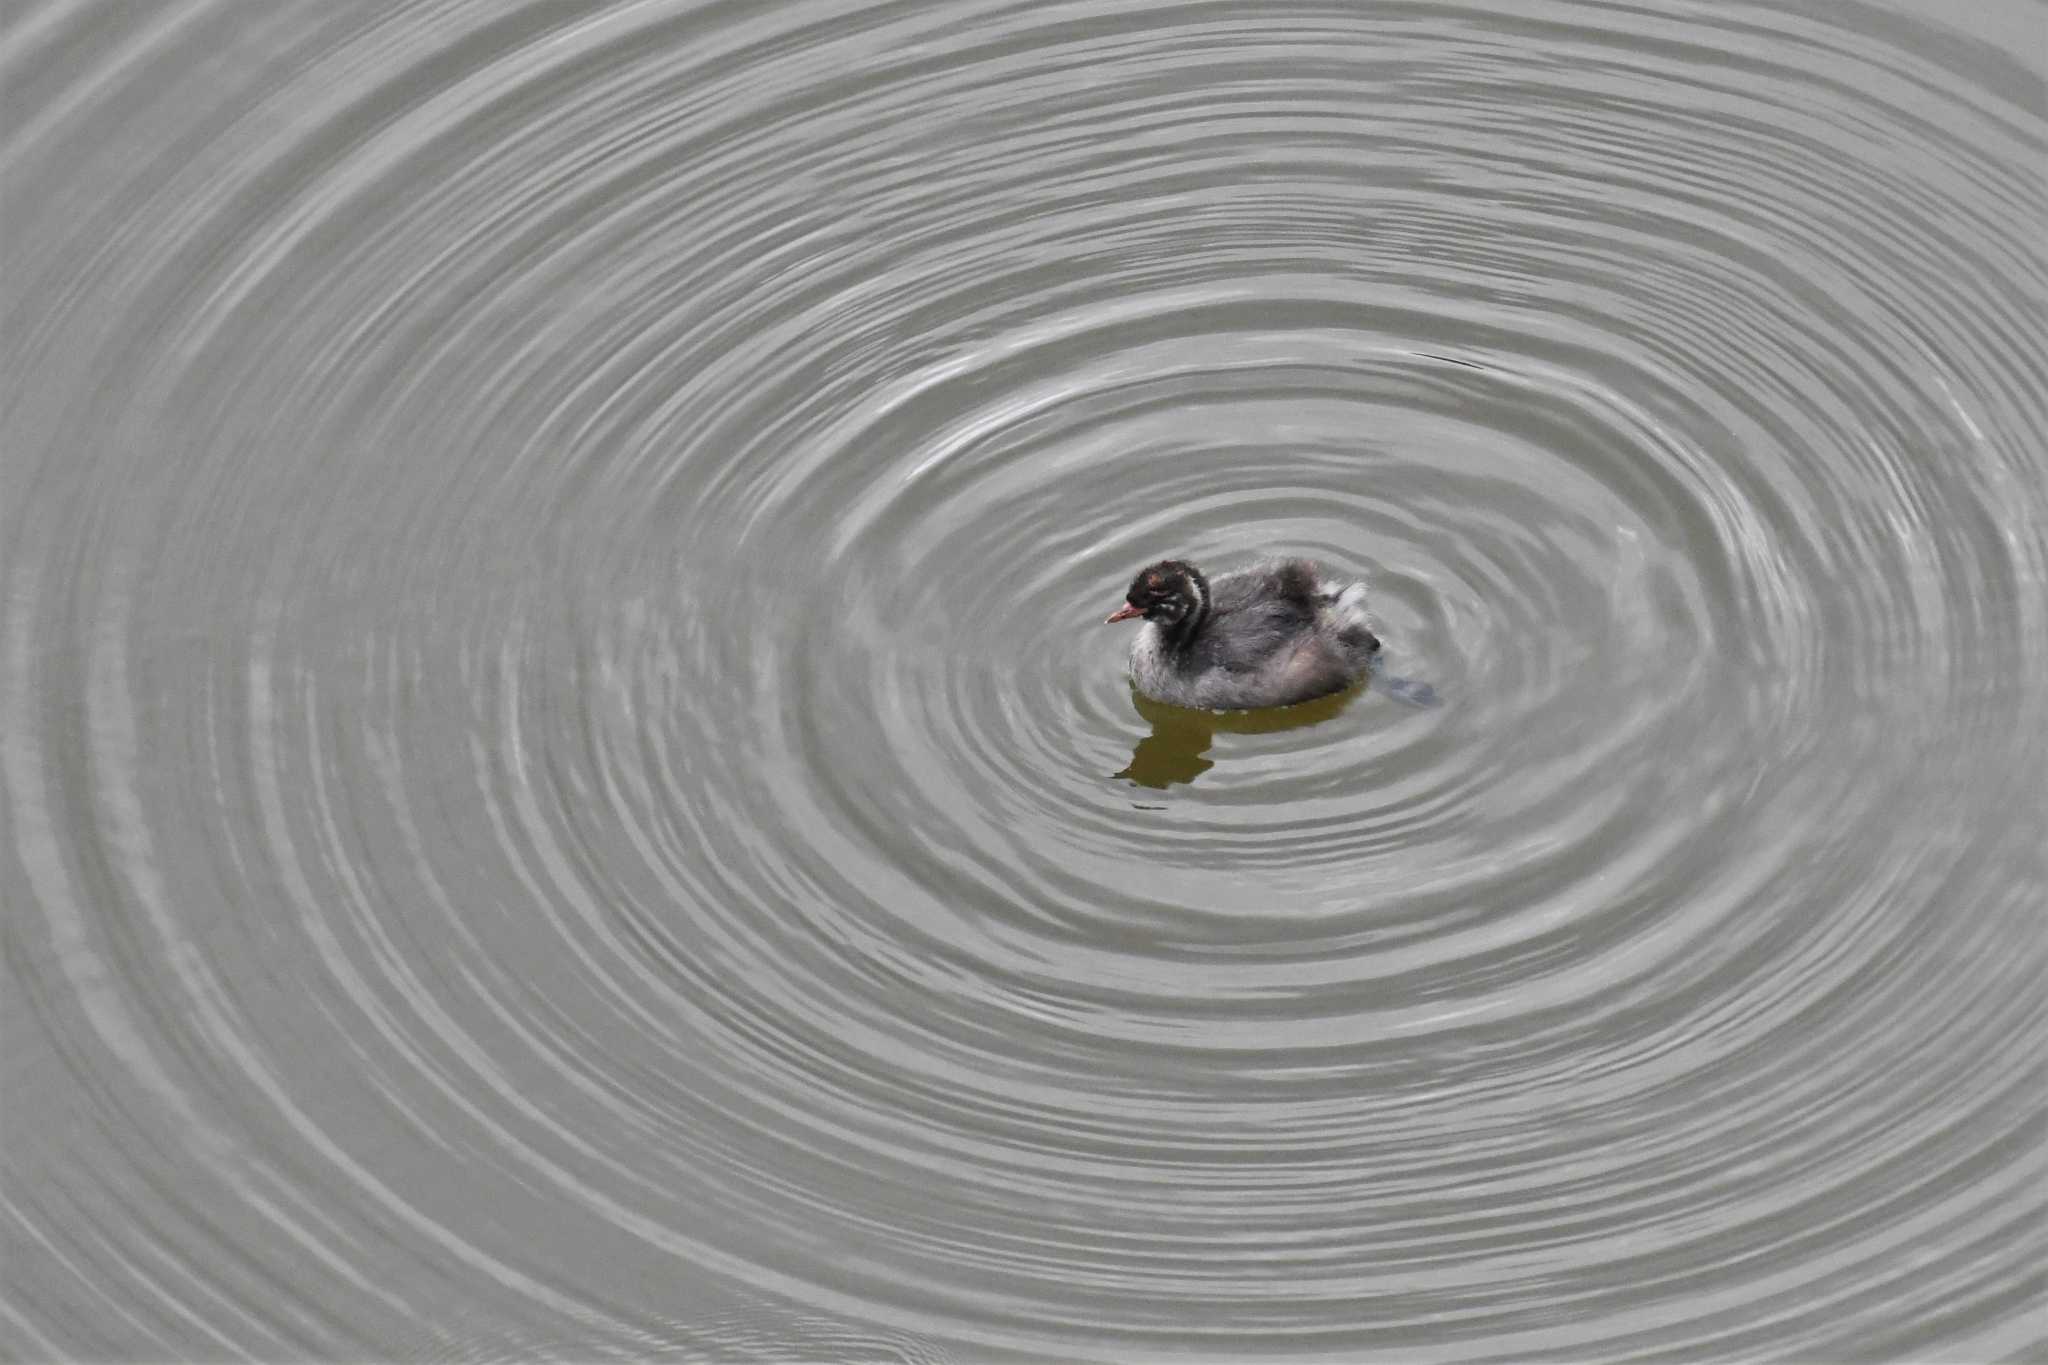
point(1269, 635)
